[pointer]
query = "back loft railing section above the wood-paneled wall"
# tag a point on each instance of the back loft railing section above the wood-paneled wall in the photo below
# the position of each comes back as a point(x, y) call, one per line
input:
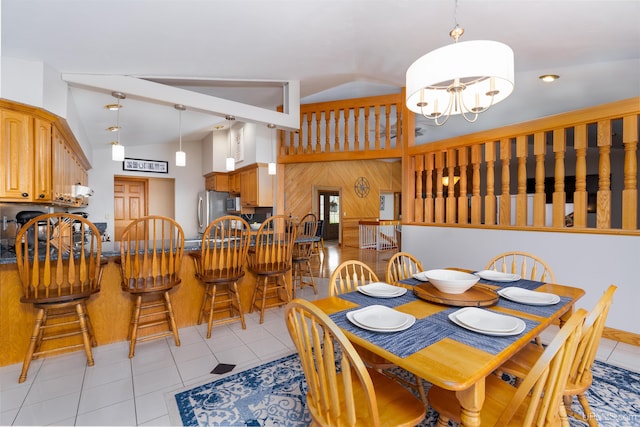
point(362, 128)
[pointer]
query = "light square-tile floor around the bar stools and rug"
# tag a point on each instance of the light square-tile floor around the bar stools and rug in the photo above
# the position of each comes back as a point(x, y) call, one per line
point(117, 390)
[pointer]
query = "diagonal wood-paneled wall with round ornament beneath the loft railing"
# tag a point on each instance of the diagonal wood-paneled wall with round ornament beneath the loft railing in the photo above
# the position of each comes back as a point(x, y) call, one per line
point(301, 179)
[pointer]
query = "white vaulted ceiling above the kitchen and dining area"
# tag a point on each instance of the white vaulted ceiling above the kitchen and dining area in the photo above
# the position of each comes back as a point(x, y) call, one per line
point(241, 50)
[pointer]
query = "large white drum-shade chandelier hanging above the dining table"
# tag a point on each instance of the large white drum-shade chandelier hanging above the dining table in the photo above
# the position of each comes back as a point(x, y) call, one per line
point(464, 78)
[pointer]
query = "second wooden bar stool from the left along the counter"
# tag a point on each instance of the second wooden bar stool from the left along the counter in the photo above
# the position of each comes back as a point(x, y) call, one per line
point(151, 253)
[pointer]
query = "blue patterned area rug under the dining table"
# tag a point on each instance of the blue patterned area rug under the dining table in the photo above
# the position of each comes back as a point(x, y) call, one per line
point(273, 394)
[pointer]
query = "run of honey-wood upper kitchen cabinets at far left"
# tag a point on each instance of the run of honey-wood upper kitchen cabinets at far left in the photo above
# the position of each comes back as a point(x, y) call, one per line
point(40, 158)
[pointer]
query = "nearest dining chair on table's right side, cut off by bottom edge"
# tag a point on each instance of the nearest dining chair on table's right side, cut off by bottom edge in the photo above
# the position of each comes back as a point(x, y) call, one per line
point(537, 400)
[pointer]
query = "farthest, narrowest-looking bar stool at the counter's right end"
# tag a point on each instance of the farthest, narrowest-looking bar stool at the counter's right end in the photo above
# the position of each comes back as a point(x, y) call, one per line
point(302, 249)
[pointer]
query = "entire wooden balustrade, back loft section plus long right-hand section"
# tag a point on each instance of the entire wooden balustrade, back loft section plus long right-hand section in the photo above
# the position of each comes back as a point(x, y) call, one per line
point(576, 171)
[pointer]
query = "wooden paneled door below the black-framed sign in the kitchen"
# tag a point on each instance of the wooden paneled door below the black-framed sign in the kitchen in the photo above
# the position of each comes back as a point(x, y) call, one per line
point(129, 202)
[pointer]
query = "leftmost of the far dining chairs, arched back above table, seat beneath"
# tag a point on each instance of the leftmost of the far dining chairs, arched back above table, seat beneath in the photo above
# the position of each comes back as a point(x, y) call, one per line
point(346, 278)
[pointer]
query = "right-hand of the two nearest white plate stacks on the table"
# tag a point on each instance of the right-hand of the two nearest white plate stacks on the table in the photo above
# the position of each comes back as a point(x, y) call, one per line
point(487, 322)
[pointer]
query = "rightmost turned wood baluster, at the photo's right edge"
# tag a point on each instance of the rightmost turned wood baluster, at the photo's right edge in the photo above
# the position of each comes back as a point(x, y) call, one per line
point(630, 191)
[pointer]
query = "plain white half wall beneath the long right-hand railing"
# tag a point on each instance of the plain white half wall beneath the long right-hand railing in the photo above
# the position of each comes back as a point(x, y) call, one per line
point(588, 261)
